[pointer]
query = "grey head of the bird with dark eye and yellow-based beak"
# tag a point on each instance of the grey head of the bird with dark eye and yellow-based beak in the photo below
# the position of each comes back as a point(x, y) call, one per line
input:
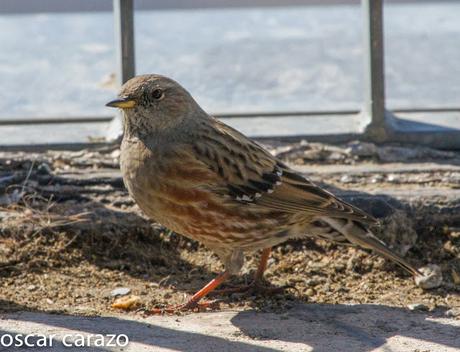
point(154, 104)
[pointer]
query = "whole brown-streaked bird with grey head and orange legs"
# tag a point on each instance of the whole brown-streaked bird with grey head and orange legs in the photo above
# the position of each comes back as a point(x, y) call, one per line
point(203, 179)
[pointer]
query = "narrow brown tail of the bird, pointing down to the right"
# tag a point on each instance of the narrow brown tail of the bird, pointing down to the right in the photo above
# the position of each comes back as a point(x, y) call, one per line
point(357, 234)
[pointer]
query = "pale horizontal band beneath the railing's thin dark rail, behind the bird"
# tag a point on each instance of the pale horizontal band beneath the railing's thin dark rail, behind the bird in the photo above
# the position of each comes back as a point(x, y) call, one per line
point(436, 129)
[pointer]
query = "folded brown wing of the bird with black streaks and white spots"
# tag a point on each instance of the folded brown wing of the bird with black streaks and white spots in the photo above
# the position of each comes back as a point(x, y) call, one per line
point(250, 174)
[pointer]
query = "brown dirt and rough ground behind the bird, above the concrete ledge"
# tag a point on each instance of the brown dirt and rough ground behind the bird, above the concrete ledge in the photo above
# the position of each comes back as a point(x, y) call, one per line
point(69, 235)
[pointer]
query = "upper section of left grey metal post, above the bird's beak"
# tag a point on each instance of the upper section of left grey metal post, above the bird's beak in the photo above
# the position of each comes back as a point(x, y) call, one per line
point(124, 39)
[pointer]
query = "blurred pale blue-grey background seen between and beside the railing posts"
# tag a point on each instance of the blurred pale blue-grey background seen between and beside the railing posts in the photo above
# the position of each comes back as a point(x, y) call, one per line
point(58, 56)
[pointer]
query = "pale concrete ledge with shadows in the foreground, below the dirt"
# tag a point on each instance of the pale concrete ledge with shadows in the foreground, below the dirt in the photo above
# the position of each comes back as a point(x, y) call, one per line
point(305, 327)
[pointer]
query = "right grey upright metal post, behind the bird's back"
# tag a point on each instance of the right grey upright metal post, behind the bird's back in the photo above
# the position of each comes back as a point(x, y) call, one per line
point(374, 80)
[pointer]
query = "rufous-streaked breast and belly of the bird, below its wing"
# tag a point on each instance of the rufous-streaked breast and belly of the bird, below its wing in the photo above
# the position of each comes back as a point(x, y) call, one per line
point(176, 190)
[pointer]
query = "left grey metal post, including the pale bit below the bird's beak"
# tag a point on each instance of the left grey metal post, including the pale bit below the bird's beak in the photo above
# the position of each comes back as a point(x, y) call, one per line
point(123, 12)
